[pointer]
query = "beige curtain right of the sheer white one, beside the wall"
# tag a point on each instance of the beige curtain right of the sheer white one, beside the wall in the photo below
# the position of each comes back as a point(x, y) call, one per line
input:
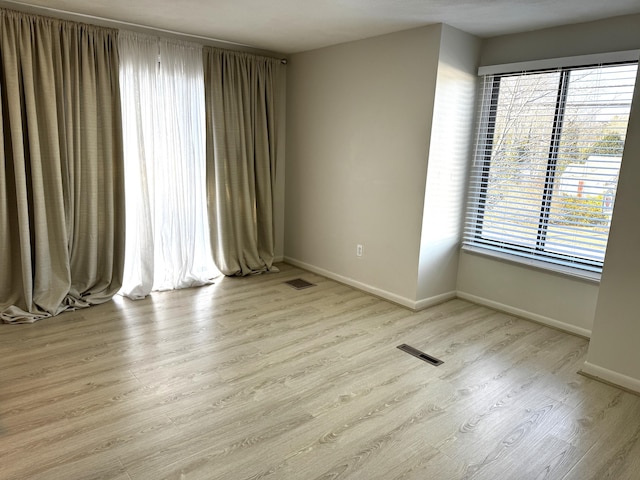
point(240, 97)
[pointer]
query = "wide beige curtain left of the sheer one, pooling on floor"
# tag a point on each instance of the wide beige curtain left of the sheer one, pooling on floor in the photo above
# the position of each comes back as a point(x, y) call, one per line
point(61, 179)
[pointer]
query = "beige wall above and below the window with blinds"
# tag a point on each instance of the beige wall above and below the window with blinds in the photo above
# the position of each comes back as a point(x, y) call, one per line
point(559, 300)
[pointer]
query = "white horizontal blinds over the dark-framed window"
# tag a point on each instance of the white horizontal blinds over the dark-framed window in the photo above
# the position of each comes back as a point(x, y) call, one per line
point(548, 154)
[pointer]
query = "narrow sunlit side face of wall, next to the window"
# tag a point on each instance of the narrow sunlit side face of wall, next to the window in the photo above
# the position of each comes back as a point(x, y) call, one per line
point(449, 152)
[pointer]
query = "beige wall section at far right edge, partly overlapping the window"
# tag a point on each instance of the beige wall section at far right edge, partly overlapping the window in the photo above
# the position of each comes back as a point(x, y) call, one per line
point(614, 350)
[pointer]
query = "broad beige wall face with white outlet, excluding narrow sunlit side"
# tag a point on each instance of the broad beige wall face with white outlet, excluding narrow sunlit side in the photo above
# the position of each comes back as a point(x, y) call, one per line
point(358, 127)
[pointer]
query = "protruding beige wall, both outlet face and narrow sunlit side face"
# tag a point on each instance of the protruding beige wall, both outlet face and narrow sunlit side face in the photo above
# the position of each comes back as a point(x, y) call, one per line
point(378, 141)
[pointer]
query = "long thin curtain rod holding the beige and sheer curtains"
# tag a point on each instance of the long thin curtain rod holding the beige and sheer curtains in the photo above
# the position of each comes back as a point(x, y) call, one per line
point(121, 23)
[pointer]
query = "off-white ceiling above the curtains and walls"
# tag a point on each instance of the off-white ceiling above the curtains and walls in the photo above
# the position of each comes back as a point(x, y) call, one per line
point(289, 26)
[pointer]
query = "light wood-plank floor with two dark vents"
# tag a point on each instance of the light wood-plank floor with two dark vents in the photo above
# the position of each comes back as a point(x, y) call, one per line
point(251, 379)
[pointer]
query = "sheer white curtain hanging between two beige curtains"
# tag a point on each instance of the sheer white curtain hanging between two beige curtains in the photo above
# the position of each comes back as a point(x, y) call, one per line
point(167, 235)
